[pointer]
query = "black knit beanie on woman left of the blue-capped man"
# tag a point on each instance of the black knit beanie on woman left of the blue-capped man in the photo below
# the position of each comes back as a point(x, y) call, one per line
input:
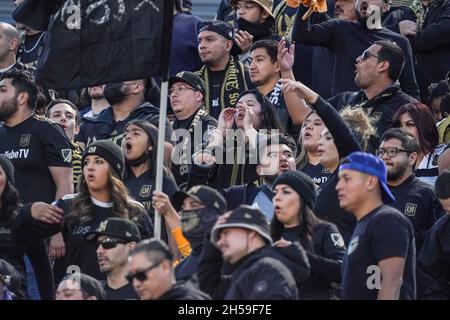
point(301, 183)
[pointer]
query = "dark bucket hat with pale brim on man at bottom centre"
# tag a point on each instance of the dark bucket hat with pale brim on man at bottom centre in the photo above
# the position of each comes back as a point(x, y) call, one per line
point(244, 217)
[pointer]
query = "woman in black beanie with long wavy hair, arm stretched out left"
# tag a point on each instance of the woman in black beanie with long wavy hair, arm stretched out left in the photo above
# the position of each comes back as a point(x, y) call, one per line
point(101, 195)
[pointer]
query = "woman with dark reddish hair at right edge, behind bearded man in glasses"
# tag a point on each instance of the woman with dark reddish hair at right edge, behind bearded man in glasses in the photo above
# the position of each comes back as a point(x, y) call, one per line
point(417, 119)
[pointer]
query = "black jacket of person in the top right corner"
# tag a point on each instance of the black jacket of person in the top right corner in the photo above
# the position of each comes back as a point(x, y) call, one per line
point(431, 44)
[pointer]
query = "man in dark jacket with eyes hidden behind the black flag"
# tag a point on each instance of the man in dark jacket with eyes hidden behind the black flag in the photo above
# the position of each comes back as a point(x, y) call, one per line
point(127, 102)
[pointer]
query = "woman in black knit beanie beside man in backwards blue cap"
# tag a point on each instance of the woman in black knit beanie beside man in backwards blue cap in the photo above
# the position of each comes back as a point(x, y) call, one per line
point(295, 221)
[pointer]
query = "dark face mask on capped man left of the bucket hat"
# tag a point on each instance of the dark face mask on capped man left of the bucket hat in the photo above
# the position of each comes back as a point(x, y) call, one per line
point(196, 223)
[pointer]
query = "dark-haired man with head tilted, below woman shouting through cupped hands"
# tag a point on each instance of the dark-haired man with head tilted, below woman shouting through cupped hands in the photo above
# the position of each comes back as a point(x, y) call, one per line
point(274, 158)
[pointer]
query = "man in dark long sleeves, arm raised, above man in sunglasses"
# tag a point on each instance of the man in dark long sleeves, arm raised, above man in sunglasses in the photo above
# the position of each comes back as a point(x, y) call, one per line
point(348, 39)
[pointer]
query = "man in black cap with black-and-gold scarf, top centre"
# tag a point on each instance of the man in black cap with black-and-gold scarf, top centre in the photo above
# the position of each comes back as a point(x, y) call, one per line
point(224, 75)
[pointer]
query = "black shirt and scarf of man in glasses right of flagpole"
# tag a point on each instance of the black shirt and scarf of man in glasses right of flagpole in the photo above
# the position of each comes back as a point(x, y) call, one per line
point(181, 166)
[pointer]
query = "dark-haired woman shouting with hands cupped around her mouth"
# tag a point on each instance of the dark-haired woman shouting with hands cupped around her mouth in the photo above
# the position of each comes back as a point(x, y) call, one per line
point(253, 118)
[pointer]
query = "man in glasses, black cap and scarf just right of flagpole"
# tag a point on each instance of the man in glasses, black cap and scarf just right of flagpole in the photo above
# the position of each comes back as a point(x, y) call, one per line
point(187, 91)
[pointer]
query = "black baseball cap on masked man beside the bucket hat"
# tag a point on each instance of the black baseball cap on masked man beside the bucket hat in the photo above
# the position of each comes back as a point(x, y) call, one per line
point(205, 195)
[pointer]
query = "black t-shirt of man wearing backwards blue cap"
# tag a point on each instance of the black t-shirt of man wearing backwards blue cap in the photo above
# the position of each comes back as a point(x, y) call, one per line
point(383, 233)
